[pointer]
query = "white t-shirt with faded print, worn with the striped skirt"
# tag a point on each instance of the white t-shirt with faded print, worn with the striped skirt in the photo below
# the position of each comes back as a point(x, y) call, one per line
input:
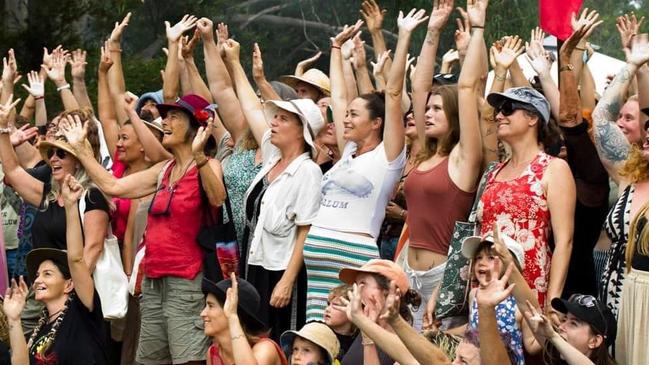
point(356, 190)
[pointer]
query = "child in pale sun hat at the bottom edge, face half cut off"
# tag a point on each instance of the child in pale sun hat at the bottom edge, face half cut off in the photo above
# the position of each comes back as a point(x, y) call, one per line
point(314, 344)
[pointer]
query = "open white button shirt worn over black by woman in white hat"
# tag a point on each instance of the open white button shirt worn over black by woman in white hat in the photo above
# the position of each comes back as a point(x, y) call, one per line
point(291, 200)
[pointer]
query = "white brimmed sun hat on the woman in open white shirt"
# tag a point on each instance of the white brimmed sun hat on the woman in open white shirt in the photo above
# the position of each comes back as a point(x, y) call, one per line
point(308, 113)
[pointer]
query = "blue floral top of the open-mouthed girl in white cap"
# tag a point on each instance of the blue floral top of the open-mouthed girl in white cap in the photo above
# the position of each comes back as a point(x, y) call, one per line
point(510, 333)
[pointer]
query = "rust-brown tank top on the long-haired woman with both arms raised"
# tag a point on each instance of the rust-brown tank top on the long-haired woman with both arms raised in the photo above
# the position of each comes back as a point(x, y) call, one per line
point(434, 203)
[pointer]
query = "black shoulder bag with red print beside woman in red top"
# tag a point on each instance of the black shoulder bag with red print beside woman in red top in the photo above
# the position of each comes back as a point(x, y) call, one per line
point(218, 240)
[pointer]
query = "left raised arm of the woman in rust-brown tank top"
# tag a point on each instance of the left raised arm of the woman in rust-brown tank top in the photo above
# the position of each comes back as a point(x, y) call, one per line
point(423, 80)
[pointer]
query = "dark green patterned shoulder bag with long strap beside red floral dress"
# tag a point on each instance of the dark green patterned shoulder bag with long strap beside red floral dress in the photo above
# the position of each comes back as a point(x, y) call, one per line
point(454, 289)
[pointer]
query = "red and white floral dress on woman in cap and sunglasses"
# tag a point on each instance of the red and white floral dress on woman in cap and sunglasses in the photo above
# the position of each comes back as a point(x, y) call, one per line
point(521, 209)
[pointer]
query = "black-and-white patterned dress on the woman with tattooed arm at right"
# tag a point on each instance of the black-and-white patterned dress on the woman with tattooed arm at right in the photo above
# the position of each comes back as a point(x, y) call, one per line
point(617, 226)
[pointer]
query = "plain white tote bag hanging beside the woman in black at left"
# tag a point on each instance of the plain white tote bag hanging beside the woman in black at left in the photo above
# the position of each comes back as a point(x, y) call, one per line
point(110, 280)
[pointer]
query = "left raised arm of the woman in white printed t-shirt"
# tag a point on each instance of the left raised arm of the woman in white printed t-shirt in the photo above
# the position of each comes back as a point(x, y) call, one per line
point(337, 78)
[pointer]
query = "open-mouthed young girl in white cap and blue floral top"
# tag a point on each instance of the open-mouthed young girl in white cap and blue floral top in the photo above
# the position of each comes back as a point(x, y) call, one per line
point(488, 267)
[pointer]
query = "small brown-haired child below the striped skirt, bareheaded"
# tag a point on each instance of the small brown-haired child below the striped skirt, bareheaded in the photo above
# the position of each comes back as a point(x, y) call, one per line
point(337, 320)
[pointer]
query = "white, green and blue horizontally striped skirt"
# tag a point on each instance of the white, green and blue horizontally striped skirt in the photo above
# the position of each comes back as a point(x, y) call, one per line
point(325, 253)
